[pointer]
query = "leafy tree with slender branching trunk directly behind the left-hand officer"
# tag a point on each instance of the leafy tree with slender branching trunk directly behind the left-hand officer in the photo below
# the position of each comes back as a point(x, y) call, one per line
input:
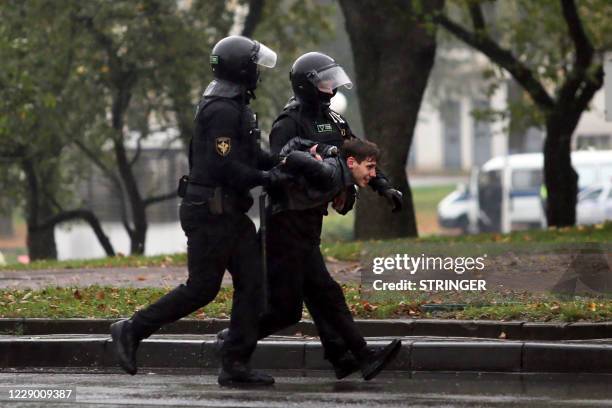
point(153, 57)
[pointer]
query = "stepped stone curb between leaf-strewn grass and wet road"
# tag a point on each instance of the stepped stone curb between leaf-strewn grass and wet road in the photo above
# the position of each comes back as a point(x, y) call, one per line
point(420, 352)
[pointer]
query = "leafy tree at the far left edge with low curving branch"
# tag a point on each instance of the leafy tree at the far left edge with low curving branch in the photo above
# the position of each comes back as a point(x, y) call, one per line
point(41, 107)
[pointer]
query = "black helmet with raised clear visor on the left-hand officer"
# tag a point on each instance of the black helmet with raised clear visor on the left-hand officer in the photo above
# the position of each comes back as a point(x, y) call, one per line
point(235, 59)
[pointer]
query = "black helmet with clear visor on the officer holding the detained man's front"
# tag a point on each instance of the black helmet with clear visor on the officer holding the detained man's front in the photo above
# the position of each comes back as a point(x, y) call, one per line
point(315, 78)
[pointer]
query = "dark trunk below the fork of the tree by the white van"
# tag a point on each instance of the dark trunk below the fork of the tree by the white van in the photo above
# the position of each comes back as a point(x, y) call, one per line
point(560, 177)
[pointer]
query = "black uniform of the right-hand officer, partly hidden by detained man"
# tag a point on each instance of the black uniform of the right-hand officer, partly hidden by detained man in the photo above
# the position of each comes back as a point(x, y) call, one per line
point(297, 270)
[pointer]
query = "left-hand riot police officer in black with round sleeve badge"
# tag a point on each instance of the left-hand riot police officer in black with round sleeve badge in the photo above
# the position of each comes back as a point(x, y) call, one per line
point(225, 162)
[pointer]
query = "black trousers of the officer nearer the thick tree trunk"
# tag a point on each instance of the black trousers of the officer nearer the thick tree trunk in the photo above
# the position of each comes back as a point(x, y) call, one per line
point(297, 272)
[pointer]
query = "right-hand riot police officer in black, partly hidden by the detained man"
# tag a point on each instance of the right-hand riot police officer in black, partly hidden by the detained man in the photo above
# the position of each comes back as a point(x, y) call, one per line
point(296, 266)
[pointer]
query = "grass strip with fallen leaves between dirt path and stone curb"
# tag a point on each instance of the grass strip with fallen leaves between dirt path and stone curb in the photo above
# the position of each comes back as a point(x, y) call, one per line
point(108, 302)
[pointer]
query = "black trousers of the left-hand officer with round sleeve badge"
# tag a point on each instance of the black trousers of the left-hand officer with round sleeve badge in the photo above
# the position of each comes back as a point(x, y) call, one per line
point(214, 243)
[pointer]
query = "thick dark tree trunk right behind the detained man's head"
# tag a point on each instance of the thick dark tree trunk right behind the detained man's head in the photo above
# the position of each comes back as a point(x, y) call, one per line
point(393, 57)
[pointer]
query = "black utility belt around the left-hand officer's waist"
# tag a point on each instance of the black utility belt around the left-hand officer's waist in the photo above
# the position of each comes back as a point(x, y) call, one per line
point(219, 200)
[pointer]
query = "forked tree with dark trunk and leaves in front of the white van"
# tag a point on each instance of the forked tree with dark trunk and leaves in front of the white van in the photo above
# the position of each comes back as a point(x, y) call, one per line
point(553, 49)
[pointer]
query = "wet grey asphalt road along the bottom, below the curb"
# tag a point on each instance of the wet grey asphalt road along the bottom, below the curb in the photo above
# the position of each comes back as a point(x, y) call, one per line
point(318, 389)
